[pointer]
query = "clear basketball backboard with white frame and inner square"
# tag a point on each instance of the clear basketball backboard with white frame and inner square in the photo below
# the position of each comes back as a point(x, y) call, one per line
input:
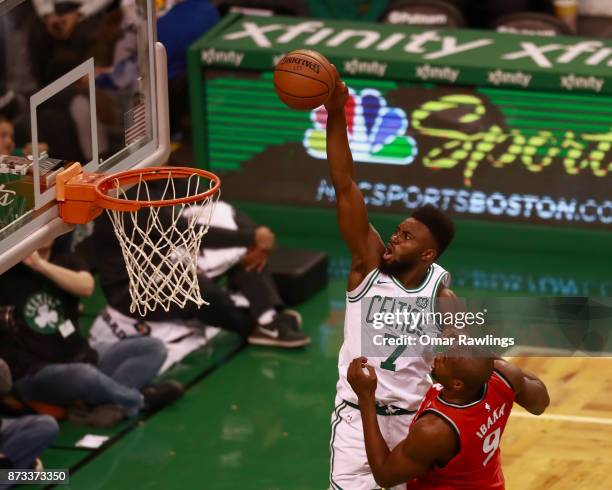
point(75, 86)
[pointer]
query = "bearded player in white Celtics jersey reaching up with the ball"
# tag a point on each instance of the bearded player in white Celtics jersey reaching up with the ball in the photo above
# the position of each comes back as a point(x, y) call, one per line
point(380, 274)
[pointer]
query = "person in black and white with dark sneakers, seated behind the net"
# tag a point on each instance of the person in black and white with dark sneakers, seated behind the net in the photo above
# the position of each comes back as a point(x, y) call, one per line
point(245, 249)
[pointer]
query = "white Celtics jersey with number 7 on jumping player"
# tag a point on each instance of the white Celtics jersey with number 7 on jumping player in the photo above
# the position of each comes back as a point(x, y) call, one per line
point(402, 380)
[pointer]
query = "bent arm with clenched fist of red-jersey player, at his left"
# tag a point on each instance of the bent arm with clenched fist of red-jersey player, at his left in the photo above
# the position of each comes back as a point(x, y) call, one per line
point(429, 441)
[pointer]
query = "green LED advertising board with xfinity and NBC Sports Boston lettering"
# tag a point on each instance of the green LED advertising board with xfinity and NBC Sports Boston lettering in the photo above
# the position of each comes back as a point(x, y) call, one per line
point(490, 148)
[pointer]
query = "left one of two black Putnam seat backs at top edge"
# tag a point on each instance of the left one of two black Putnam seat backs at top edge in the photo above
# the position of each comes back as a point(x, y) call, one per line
point(436, 13)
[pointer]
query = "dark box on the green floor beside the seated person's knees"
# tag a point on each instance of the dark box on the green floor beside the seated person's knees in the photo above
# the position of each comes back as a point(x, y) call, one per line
point(298, 274)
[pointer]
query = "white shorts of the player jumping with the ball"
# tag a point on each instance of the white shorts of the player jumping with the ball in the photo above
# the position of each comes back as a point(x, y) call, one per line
point(349, 468)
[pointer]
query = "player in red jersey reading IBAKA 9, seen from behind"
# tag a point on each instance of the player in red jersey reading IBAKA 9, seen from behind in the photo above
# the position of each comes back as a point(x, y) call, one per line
point(453, 442)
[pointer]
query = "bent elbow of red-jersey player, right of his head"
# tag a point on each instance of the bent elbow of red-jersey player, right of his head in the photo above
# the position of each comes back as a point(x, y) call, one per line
point(530, 391)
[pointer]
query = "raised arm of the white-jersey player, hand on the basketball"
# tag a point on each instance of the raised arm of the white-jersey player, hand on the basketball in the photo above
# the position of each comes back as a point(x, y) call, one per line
point(361, 238)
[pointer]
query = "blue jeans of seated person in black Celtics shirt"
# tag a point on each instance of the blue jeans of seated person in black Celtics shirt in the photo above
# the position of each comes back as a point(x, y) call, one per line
point(123, 369)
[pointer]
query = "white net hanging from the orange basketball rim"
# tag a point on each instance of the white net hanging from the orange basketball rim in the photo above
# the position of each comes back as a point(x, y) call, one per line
point(160, 244)
